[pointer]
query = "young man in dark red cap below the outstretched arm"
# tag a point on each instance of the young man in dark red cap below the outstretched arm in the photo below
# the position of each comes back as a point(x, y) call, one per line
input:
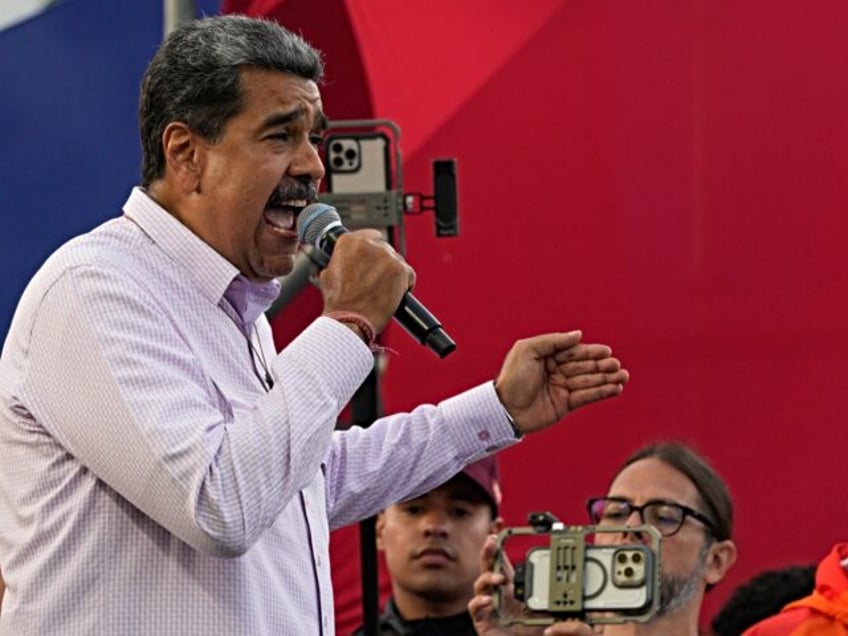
point(432, 546)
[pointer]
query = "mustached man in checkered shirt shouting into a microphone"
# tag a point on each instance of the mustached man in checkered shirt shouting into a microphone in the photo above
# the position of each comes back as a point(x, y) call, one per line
point(164, 469)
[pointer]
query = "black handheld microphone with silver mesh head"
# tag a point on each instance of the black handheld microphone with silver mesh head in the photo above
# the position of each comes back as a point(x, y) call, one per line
point(319, 225)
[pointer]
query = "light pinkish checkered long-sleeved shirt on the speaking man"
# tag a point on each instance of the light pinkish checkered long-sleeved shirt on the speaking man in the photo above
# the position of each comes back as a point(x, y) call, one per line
point(148, 482)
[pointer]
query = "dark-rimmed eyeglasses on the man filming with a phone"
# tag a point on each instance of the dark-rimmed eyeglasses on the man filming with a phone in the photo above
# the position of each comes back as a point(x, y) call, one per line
point(666, 516)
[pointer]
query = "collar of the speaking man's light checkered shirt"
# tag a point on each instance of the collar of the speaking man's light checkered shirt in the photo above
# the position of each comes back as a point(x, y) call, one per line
point(214, 275)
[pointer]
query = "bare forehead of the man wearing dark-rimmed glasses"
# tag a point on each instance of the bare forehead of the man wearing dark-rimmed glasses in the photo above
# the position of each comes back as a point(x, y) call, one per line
point(652, 478)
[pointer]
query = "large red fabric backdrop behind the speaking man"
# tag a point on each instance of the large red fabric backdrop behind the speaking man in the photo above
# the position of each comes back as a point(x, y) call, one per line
point(669, 177)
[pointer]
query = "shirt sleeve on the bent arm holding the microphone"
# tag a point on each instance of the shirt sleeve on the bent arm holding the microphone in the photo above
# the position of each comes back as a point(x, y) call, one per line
point(123, 391)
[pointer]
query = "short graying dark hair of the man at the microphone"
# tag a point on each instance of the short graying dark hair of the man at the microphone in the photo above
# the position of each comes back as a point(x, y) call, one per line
point(195, 75)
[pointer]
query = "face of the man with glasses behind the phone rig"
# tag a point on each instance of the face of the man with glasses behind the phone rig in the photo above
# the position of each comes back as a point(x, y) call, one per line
point(691, 559)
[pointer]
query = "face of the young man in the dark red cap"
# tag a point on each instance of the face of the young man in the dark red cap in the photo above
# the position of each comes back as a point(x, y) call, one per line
point(432, 546)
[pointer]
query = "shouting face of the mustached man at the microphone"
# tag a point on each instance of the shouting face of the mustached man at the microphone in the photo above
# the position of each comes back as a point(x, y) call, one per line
point(245, 190)
